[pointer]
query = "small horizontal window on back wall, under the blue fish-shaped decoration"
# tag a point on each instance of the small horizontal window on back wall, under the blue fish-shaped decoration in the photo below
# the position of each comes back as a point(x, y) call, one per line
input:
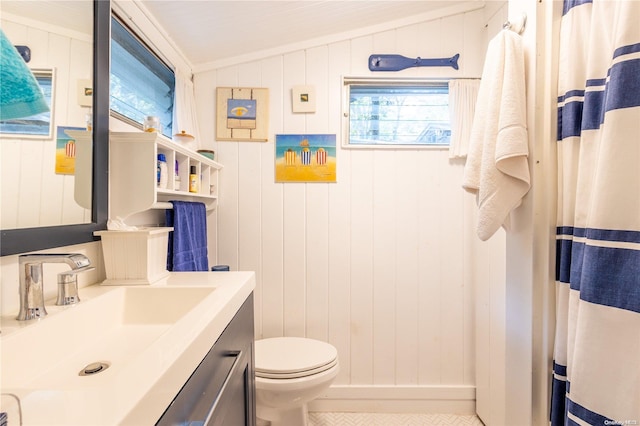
point(396, 113)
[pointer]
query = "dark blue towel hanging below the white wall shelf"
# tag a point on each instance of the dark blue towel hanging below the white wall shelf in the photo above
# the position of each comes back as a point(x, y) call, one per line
point(188, 242)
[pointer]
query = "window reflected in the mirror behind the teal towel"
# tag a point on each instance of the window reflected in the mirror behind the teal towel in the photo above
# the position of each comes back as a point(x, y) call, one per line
point(39, 125)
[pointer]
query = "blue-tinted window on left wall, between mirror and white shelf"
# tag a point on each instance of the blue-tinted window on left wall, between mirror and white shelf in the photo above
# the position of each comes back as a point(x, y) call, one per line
point(141, 84)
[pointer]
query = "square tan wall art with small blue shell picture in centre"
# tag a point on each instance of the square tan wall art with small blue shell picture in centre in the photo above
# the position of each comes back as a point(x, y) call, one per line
point(242, 114)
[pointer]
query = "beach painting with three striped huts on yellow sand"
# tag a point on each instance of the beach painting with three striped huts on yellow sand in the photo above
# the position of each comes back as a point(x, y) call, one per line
point(305, 158)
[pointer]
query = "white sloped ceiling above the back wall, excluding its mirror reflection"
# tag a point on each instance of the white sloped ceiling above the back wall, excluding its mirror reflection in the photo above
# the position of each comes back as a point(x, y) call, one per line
point(212, 30)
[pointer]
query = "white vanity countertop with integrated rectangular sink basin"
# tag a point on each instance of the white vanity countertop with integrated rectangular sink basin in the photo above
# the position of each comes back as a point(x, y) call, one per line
point(151, 338)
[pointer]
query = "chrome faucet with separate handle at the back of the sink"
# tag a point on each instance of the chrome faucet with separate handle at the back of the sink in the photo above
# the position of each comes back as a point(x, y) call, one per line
point(32, 281)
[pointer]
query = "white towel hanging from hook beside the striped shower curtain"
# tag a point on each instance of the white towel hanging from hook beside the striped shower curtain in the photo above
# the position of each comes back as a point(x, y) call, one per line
point(497, 170)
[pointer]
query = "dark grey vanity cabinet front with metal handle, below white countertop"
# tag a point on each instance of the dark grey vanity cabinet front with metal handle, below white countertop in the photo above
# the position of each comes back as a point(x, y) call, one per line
point(221, 390)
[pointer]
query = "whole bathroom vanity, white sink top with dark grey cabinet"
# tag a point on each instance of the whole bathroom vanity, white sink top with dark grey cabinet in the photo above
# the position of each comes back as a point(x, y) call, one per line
point(169, 351)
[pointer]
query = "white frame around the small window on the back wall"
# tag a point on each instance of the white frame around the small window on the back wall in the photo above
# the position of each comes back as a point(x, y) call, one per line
point(348, 81)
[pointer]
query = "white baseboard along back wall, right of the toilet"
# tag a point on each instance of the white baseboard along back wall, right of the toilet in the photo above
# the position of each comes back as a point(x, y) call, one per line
point(398, 399)
